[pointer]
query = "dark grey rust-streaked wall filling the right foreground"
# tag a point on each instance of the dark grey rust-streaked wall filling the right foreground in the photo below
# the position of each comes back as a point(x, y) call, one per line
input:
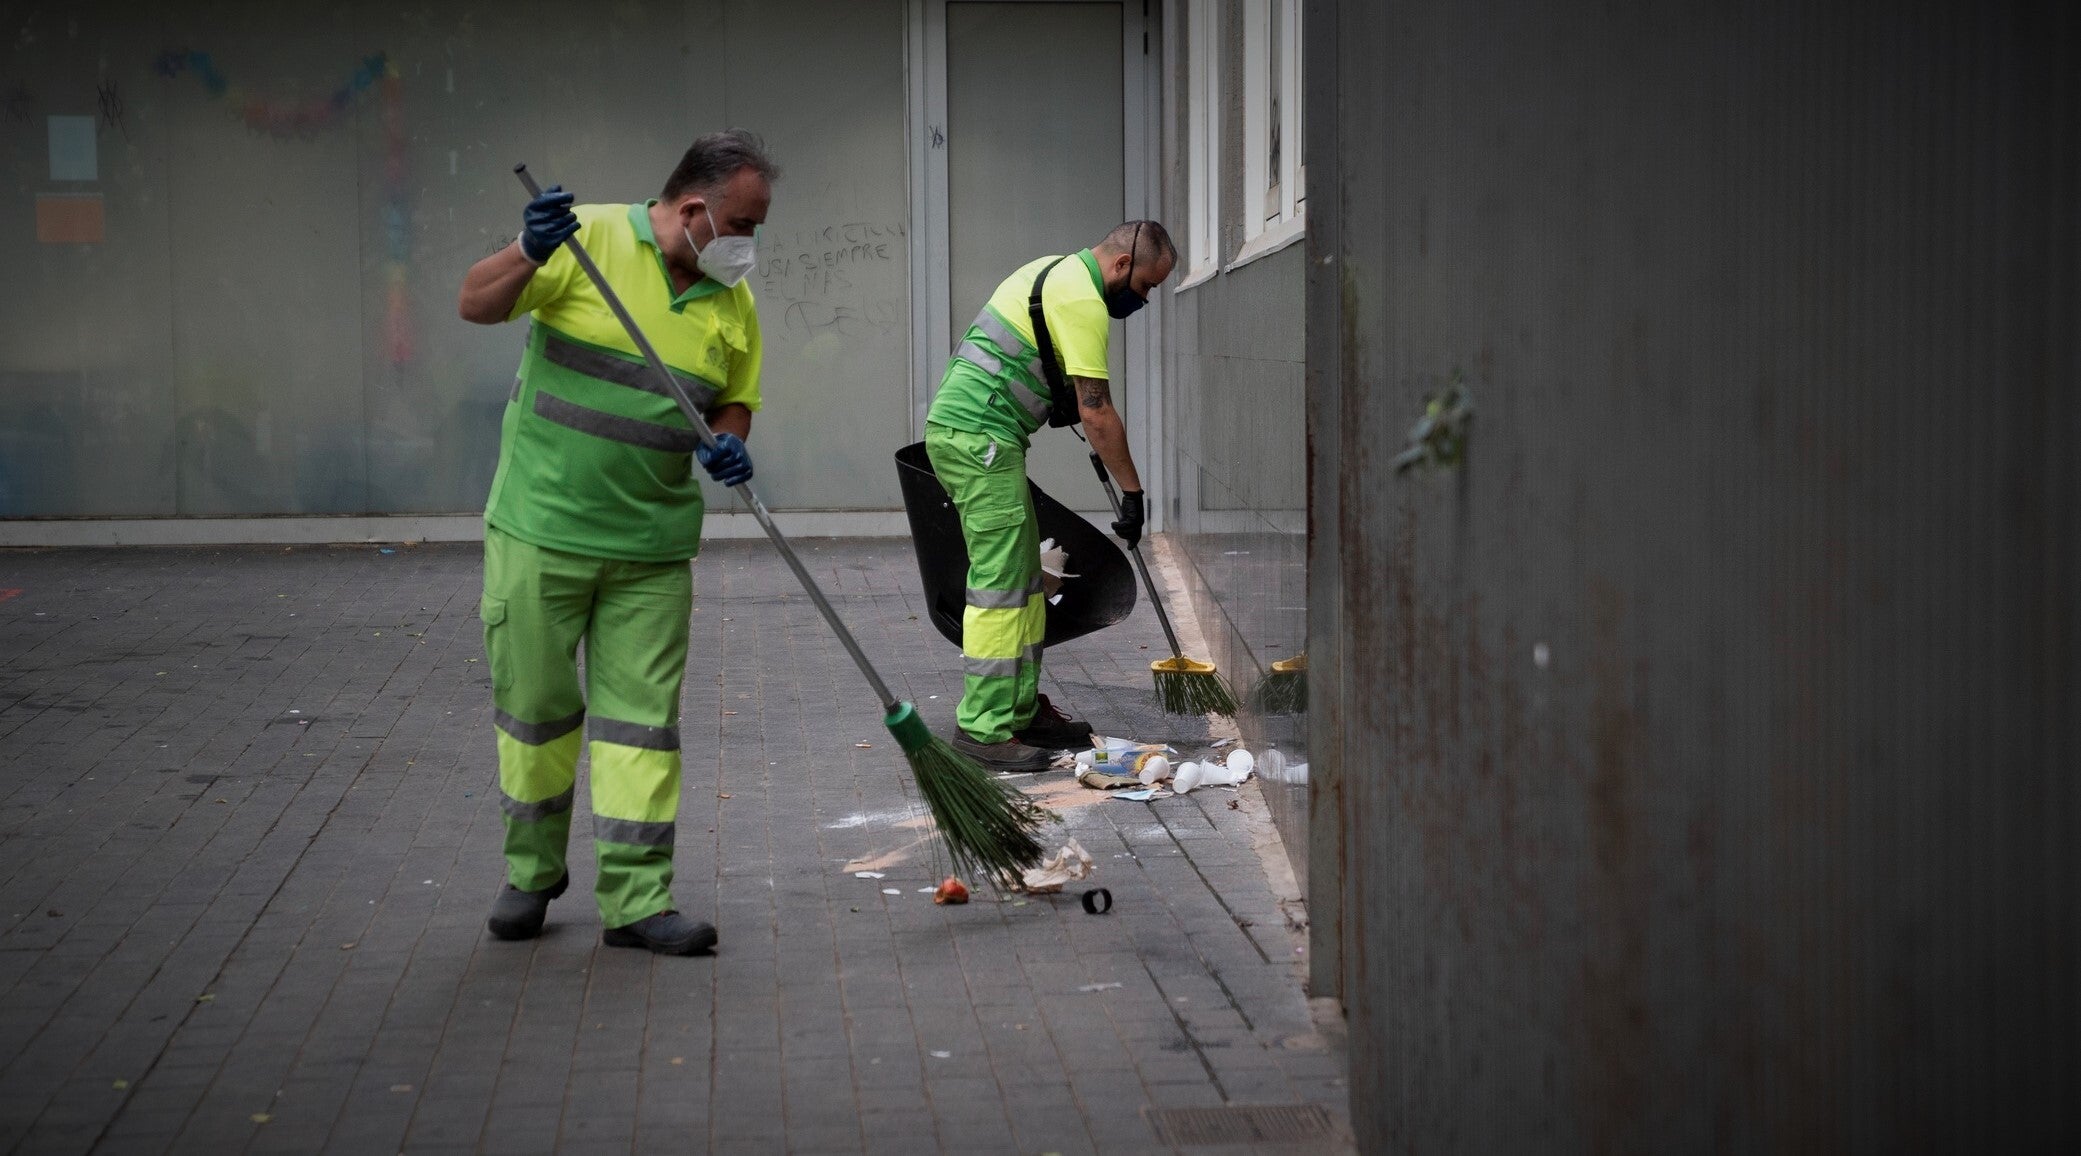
point(1705, 745)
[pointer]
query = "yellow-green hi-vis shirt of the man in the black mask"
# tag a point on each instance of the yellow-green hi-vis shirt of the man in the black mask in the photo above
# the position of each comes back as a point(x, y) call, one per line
point(994, 384)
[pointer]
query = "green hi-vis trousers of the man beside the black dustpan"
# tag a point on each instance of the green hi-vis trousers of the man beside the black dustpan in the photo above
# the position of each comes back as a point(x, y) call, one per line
point(1006, 616)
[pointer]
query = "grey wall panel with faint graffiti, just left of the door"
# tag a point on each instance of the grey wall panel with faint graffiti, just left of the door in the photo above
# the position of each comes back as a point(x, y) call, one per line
point(825, 84)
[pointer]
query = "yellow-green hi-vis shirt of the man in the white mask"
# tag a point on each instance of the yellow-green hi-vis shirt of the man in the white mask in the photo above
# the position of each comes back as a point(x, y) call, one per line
point(594, 456)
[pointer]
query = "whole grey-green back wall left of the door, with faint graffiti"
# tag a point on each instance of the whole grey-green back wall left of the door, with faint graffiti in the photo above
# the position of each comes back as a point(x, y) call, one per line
point(267, 323)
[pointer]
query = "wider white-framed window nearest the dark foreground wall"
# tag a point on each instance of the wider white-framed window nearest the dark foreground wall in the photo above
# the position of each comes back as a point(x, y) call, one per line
point(1275, 203)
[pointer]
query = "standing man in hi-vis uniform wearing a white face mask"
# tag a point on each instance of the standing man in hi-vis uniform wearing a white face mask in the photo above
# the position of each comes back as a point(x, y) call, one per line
point(596, 515)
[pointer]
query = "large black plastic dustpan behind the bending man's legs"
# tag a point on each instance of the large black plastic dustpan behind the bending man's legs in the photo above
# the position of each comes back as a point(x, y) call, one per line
point(1098, 598)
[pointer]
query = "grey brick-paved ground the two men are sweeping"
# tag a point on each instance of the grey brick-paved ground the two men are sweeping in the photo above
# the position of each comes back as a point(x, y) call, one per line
point(249, 837)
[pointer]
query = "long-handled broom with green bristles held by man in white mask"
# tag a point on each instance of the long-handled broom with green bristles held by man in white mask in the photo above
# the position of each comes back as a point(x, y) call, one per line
point(990, 826)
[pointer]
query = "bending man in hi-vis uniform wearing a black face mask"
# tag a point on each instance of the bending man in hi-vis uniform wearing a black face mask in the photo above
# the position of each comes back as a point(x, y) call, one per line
point(996, 394)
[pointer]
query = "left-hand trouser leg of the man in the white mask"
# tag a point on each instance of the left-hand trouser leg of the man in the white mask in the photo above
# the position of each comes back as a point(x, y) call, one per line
point(536, 610)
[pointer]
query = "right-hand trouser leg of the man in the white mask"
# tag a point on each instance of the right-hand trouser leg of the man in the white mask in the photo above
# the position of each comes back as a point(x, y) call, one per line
point(636, 660)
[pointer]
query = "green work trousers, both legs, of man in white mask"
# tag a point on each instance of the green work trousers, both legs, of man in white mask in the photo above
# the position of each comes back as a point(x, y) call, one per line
point(632, 616)
